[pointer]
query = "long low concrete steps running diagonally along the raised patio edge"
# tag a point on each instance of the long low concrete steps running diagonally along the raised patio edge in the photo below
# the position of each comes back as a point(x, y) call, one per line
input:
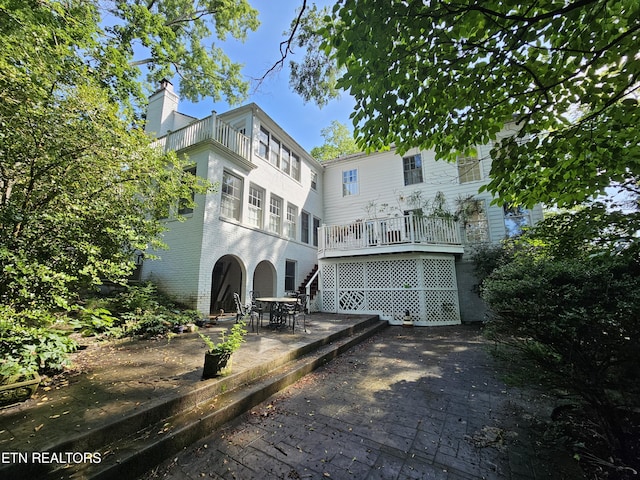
point(130, 447)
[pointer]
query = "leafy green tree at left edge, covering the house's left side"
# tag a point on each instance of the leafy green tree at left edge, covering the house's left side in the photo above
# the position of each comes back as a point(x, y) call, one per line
point(80, 187)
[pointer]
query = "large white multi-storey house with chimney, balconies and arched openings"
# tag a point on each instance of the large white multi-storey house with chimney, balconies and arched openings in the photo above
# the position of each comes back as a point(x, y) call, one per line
point(364, 225)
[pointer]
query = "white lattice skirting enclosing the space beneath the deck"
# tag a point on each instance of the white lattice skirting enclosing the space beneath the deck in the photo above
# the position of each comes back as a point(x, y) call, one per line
point(423, 284)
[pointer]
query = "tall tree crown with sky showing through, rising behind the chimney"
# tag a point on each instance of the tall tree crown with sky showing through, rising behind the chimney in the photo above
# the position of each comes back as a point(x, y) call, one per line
point(172, 35)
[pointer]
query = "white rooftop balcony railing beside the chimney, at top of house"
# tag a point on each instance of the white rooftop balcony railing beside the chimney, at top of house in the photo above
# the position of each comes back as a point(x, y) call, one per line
point(210, 128)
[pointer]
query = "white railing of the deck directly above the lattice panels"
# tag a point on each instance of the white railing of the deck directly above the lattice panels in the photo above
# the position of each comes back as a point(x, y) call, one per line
point(400, 234)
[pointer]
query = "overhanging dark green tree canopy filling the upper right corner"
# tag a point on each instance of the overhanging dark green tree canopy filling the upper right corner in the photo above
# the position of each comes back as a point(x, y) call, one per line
point(451, 75)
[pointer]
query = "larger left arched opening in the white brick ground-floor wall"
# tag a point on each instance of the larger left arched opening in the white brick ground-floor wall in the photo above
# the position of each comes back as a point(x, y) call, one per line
point(226, 279)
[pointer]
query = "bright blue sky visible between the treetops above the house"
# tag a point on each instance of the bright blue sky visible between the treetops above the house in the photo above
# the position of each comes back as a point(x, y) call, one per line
point(261, 50)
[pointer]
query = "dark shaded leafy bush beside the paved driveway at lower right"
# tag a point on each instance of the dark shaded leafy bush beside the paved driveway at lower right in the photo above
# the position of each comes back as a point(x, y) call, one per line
point(578, 320)
